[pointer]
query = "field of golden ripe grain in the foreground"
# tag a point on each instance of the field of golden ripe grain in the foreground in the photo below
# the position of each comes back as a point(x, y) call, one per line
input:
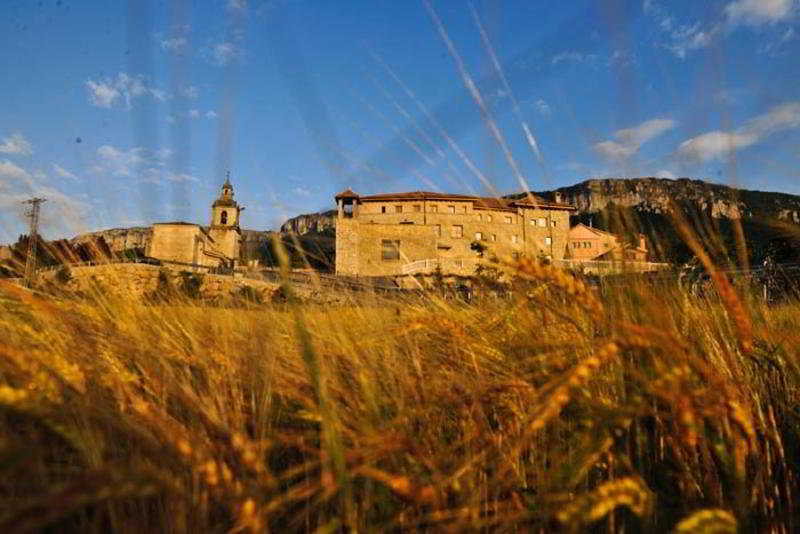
point(636, 409)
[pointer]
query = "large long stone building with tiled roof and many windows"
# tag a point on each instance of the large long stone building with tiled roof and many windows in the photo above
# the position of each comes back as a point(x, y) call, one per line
point(416, 232)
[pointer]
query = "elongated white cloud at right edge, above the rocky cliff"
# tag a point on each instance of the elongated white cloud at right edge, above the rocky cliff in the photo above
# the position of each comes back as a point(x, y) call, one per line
point(719, 144)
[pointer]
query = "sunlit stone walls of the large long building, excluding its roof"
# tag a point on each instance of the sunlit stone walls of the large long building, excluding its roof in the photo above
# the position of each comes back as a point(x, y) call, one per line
point(444, 234)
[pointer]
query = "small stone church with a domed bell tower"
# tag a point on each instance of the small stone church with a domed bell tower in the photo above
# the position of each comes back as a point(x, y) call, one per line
point(193, 245)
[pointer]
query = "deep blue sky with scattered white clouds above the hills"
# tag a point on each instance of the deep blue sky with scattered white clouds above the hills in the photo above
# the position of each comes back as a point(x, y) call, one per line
point(128, 113)
